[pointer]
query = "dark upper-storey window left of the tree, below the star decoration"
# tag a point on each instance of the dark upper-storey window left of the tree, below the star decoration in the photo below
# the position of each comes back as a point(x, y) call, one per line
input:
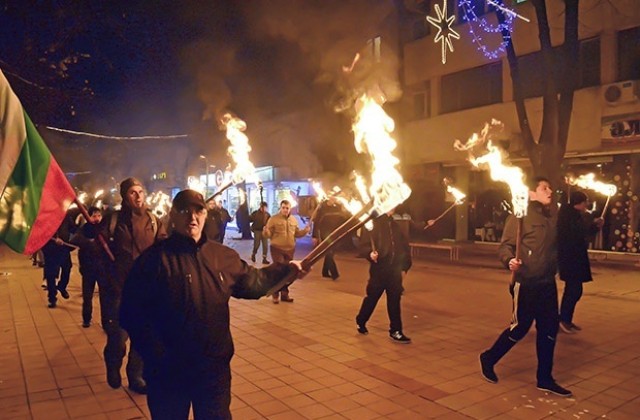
point(472, 88)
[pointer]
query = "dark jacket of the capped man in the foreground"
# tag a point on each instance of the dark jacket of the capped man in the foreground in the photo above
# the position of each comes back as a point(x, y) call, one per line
point(175, 303)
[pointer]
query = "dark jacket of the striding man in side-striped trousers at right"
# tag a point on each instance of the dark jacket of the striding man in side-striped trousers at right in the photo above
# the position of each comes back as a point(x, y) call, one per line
point(538, 247)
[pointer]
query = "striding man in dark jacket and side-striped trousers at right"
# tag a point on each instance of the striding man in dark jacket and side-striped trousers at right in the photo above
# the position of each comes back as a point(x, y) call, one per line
point(534, 292)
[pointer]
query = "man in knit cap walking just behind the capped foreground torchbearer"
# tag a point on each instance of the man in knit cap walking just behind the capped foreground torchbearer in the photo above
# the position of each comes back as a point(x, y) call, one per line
point(130, 231)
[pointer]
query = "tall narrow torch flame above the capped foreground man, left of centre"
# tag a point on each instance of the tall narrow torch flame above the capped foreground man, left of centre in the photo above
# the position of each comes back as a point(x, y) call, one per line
point(239, 149)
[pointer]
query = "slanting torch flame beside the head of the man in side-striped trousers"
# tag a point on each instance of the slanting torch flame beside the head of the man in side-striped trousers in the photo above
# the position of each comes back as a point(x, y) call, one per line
point(511, 175)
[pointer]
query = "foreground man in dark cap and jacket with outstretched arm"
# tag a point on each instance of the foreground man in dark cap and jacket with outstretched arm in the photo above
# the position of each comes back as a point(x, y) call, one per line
point(175, 306)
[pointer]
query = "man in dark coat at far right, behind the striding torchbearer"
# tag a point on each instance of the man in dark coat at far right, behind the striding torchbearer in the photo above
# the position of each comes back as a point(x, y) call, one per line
point(573, 258)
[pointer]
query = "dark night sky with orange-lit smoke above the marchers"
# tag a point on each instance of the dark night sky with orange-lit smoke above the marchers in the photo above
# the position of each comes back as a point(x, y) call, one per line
point(158, 68)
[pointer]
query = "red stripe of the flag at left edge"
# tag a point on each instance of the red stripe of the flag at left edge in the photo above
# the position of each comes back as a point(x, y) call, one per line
point(57, 195)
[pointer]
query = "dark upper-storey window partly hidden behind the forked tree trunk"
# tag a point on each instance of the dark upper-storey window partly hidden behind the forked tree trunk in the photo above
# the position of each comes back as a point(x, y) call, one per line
point(532, 75)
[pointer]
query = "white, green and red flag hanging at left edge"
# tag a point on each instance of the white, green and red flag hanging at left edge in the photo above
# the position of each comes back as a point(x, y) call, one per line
point(34, 193)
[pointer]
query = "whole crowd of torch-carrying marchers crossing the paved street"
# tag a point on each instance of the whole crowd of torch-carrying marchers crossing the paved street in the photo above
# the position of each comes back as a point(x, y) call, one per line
point(164, 284)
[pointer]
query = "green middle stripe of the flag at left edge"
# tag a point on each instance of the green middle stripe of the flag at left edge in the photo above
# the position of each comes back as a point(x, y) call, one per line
point(20, 201)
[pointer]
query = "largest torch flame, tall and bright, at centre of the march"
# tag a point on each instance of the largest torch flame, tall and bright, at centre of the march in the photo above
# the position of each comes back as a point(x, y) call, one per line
point(372, 128)
